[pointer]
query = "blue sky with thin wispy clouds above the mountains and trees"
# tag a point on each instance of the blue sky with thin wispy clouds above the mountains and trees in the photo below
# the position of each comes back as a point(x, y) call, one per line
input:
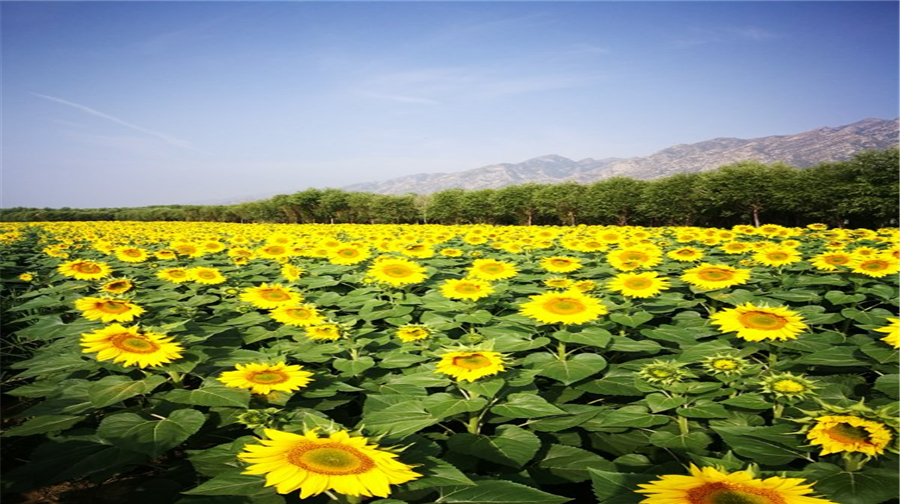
point(111, 104)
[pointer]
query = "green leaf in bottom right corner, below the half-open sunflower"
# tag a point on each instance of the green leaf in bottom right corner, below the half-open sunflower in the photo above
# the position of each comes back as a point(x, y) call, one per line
point(869, 486)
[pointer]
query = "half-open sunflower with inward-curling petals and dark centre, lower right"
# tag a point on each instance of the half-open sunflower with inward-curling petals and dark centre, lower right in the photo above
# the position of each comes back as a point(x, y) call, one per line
point(848, 433)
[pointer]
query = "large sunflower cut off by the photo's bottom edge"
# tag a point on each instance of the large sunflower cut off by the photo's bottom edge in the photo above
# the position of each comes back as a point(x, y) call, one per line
point(709, 486)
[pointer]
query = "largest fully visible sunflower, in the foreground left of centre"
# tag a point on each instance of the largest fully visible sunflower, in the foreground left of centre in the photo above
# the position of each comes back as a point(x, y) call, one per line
point(340, 462)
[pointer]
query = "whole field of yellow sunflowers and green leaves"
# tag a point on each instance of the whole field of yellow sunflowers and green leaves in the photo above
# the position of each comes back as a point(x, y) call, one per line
point(215, 363)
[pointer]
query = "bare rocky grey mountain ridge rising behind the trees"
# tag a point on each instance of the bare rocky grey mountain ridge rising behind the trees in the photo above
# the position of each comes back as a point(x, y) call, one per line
point(801, 150)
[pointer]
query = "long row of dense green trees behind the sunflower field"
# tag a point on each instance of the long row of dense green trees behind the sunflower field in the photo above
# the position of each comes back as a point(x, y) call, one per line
point(861, 192)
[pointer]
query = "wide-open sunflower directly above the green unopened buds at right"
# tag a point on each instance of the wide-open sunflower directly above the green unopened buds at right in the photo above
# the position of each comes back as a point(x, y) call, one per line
point(758, 323)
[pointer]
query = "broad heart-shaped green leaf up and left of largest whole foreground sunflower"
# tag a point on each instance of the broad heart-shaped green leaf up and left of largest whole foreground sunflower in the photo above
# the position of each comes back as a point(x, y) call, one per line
point(150, 437)
